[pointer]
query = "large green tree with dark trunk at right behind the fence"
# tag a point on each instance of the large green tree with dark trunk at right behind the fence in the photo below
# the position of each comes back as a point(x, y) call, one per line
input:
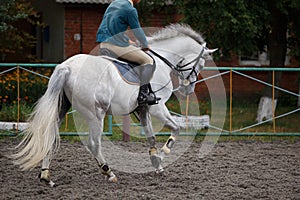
point(245, 26)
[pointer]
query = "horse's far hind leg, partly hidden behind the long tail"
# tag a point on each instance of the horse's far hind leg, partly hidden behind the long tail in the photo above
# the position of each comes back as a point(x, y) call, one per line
point(45, 172)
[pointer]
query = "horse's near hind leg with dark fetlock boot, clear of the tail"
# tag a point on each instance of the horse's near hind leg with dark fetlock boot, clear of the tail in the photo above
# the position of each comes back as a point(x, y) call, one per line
point(94, 144)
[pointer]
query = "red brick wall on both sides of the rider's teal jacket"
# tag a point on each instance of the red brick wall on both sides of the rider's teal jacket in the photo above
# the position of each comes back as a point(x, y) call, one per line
point(85, 19)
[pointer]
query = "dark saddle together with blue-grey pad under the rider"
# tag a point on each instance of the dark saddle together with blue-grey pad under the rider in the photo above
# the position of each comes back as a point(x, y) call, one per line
point(126, 68)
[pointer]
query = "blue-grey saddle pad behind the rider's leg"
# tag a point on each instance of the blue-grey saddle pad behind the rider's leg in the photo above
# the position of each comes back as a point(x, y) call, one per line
point(126, 72)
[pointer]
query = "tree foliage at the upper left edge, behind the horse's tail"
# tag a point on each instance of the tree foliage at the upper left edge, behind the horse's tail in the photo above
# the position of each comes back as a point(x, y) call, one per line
point(15, 40)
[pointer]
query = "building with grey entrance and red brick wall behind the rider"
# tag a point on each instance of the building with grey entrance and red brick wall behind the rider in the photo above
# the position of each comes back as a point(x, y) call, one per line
point(71, 27)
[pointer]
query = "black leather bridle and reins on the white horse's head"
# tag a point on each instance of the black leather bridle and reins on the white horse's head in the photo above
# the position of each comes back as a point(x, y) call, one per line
point(179, 68)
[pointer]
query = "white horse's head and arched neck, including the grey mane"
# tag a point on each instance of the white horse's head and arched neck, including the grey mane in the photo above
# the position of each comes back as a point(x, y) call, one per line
point(185, 51)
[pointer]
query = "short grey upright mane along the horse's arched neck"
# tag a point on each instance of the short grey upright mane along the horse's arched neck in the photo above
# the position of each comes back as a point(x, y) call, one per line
point(174, 30)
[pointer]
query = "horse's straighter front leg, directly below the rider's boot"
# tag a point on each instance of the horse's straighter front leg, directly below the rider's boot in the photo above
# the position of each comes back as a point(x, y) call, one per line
point(147, 126)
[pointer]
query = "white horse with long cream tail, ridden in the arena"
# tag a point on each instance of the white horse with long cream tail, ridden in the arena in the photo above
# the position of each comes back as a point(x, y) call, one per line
point(94, 87)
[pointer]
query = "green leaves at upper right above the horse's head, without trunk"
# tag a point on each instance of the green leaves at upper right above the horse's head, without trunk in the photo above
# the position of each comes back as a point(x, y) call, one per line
point(240, 26)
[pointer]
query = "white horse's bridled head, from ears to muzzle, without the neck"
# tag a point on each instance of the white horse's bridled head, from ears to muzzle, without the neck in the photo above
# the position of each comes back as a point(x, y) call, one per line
point(189, 68)
